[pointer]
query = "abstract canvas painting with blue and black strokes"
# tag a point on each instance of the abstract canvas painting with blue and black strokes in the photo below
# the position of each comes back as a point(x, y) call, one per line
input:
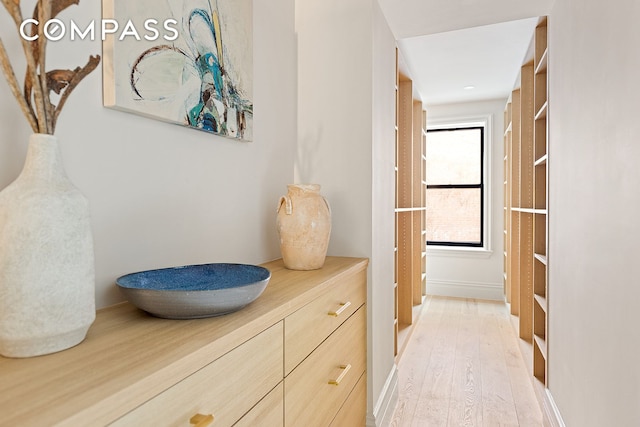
point(188, 62)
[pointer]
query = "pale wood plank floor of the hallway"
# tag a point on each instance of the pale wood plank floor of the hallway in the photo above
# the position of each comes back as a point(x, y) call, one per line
point(462, 367)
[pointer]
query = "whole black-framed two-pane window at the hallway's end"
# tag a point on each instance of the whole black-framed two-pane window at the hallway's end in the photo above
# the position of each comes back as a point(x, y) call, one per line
point(455, 186)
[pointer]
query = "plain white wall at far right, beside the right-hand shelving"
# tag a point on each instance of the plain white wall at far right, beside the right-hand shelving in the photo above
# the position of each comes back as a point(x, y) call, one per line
point(594, 292)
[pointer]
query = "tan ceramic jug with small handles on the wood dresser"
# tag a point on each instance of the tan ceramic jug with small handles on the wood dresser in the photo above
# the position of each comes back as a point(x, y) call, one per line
point(304, 226)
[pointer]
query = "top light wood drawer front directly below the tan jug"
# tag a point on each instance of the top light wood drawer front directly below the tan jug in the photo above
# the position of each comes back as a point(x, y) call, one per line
point(308, 327)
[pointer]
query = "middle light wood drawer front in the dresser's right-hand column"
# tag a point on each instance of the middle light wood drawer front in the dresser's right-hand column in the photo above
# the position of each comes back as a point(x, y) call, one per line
point(310, 398)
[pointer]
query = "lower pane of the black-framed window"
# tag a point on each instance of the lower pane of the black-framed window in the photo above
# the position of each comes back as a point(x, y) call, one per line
point(454, 215)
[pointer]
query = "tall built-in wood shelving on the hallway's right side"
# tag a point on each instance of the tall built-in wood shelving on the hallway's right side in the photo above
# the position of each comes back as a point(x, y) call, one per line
point(526, 202)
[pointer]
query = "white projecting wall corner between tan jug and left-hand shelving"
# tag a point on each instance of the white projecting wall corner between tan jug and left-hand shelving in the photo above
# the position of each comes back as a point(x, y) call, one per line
point(345, 143)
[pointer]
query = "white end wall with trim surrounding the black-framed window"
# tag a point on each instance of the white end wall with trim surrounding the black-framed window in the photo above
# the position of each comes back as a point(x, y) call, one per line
point(473, 274)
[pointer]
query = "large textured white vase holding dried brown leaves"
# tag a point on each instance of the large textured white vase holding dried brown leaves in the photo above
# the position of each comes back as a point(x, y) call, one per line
point(47, 279)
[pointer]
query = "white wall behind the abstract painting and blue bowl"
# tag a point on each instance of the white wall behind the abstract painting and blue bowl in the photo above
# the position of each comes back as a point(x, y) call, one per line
point(163, 195)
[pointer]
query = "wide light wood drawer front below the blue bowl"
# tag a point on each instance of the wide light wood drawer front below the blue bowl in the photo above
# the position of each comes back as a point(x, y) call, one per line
point(227, 388)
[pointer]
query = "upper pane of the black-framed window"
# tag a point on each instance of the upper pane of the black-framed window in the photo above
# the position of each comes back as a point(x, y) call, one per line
point(454, 156)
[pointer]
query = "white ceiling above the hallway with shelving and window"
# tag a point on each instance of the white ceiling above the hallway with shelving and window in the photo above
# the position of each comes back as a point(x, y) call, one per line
point(448, 45)
